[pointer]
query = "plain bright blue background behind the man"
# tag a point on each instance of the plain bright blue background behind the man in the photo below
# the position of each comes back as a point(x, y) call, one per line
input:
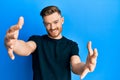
point(95, 20)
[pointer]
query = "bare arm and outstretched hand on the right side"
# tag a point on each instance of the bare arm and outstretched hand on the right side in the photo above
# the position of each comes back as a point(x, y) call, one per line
point(81, 68)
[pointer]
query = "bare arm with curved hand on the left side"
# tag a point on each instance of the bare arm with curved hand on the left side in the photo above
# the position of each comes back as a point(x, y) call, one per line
point(20, 47)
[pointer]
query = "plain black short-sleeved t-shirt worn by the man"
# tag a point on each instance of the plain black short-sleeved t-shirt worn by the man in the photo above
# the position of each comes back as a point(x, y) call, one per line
point(51, 59)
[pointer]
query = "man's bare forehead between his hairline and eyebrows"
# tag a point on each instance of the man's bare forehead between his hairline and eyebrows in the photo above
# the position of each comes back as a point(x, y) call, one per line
point(52, 17)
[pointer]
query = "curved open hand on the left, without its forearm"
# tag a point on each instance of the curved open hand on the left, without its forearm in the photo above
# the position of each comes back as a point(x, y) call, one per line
point(12, 35)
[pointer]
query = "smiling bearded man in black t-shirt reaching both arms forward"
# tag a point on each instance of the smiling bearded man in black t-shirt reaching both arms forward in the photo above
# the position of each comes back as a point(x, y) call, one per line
point(53, 55)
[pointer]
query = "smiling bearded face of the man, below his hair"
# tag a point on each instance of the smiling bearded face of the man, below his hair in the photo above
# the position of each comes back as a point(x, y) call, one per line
point(53, 24)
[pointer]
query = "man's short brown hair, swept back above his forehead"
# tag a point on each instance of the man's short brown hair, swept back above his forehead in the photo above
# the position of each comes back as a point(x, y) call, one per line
point(49, 10)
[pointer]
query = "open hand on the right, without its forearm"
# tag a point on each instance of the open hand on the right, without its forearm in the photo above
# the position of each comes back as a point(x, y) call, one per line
point(91, 60)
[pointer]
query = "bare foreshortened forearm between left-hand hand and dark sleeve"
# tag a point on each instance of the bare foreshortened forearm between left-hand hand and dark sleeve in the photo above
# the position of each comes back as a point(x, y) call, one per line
point(22, 48)
